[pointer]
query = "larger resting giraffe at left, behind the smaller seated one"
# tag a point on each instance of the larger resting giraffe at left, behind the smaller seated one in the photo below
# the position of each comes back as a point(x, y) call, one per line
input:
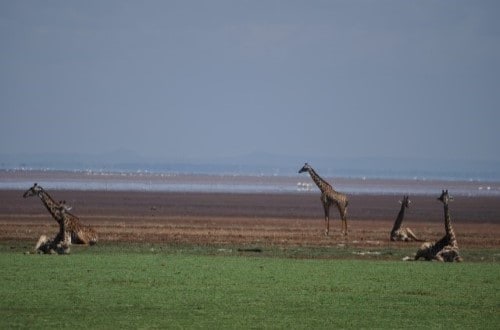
point(78, 234)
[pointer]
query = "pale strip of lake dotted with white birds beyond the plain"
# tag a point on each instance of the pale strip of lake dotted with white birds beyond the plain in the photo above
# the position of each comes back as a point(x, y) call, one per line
point(212, 183)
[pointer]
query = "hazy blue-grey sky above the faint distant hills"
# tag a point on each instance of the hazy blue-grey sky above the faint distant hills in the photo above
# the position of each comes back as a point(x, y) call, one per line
point(183, 79)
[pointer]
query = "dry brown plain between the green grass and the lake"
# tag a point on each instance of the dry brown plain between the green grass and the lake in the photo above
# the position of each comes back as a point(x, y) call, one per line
point(246, 220)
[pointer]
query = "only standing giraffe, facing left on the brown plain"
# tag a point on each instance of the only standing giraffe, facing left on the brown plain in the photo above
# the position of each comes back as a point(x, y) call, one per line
point(328, 197)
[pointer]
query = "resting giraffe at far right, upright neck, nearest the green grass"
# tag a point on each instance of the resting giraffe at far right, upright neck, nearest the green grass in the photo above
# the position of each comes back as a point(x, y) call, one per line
point(446, 249)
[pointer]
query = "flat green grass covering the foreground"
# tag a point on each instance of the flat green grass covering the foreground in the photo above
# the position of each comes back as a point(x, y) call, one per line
point(147, 288)
